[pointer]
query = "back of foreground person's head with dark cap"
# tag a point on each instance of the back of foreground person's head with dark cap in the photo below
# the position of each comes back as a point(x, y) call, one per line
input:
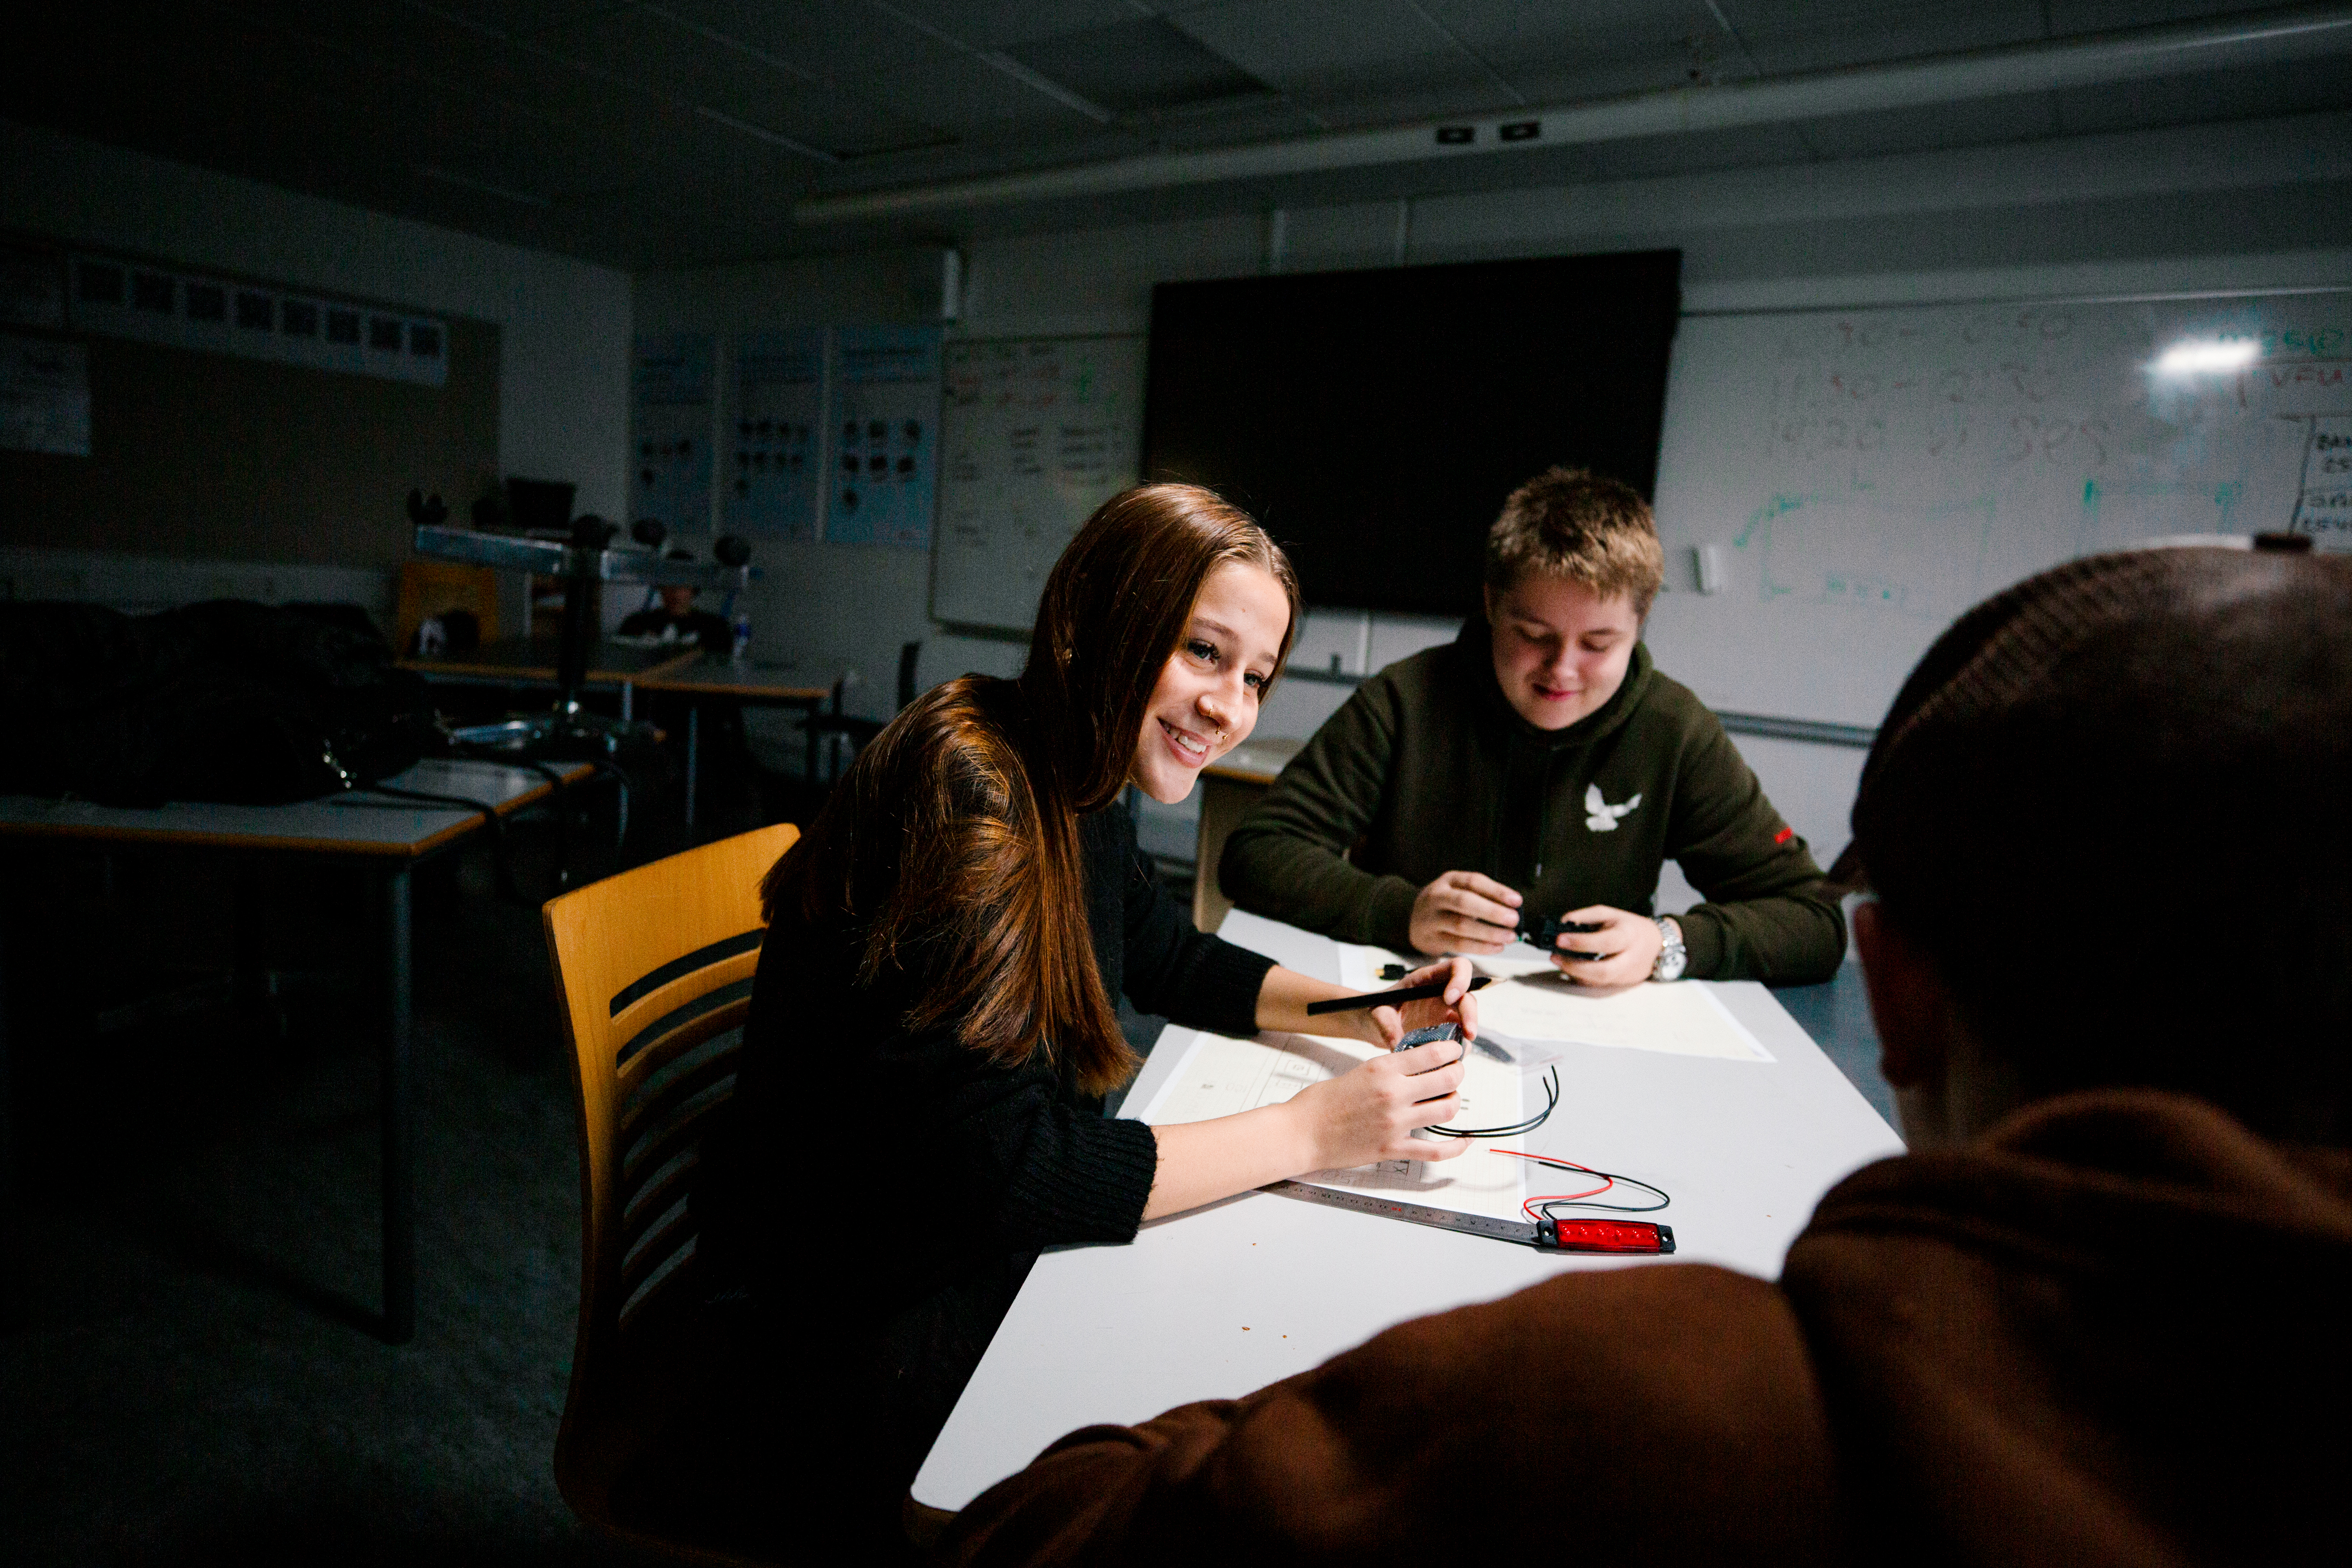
point(2116, 808)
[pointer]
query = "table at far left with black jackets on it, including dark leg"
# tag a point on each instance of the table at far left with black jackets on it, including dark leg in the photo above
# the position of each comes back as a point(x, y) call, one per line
point(375, 833)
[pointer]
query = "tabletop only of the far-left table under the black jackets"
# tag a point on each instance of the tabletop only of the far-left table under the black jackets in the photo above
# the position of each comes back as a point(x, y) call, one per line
point(359, 824)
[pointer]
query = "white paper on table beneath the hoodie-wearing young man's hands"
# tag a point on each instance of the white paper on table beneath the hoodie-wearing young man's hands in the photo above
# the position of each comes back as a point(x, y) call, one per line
point(1683, 1019)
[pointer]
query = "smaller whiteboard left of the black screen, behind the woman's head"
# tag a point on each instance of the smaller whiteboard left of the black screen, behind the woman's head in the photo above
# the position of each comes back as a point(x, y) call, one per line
point(1036, 434)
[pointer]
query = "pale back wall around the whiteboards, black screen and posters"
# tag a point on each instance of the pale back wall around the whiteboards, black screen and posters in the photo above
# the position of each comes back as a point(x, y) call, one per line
point(2229, 208)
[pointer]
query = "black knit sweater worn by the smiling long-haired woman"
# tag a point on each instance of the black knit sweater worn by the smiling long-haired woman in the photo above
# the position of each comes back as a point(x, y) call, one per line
point(883, 1193)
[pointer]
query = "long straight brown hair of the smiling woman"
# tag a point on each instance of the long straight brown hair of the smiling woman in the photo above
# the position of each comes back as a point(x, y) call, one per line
point(951, 845)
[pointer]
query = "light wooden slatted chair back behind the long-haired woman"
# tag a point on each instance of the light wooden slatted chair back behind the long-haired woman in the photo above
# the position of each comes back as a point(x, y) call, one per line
point(653, 977)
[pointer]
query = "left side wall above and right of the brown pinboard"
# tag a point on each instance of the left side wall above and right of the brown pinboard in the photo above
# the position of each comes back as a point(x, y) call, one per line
point(563, 326)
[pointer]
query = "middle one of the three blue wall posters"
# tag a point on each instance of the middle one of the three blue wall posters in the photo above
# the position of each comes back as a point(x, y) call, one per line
point(775, 434)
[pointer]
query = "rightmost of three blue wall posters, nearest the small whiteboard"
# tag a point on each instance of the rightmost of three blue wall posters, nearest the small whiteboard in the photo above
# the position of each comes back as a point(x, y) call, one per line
point(886, 436)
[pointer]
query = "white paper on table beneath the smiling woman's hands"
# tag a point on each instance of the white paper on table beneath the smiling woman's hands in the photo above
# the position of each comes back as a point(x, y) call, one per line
point(1222, 1078)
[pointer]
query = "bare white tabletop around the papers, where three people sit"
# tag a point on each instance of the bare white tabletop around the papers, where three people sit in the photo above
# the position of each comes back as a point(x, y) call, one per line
point(1255, 1289)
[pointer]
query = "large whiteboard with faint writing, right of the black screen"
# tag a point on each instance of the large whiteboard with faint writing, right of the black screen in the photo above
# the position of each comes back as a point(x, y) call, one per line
point(1866, 476)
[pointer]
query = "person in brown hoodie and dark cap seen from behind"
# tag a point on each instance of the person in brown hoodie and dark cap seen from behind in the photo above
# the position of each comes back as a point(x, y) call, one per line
point(2092, 1318)
